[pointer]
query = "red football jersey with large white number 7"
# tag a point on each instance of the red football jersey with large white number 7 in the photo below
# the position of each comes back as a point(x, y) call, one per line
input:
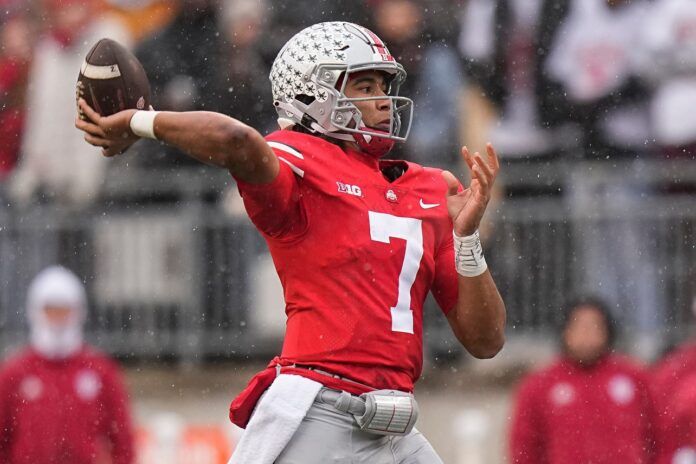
point(356, 254)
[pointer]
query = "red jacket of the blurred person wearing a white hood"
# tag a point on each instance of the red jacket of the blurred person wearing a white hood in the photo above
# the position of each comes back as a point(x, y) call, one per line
point(63, 411)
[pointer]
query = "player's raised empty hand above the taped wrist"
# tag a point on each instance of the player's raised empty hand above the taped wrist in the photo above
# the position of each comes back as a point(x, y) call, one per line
point(466, 208)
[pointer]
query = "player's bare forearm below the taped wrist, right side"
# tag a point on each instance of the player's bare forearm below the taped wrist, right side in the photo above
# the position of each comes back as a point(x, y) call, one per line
point(478, 319)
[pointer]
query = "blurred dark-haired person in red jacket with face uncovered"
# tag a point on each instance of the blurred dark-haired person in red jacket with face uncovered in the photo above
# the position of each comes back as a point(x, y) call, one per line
point(589, 406)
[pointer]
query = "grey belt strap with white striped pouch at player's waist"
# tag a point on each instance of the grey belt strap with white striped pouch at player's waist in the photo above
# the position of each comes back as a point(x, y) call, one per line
point(384, 412)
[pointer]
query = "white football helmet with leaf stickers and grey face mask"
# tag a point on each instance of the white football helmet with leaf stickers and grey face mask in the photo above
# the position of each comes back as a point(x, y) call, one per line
point(309, 77)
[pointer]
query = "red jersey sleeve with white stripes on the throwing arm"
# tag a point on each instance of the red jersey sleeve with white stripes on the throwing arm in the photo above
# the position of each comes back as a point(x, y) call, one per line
point(276, 208)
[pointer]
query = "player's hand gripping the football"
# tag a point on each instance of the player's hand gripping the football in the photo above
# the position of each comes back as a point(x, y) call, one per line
point(111, 133)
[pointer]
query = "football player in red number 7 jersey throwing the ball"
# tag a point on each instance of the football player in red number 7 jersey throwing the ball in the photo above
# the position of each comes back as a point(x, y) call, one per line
point(358, 241)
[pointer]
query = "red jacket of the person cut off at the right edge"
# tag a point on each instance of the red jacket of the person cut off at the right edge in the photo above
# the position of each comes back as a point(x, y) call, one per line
point(674, 389)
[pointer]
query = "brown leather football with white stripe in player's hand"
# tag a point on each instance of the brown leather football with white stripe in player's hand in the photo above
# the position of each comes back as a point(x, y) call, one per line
point(112, 79)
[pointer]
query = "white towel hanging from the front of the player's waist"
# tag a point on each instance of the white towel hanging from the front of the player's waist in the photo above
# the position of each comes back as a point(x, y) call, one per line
point(275, 419)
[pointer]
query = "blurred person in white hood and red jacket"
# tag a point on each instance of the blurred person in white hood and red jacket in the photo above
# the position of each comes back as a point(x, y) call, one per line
point(61, 401)
